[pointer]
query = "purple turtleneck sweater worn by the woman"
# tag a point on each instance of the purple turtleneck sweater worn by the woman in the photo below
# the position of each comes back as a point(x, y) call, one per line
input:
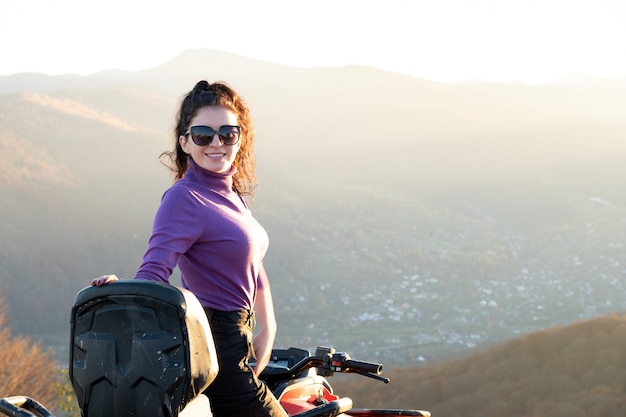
point(206, 228)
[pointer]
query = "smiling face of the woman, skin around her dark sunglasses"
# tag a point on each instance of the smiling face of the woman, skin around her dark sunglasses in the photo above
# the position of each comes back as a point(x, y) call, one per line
point(215, 157)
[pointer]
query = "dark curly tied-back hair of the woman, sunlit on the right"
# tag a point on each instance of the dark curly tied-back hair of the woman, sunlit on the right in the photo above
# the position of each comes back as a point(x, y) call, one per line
point(205, 94)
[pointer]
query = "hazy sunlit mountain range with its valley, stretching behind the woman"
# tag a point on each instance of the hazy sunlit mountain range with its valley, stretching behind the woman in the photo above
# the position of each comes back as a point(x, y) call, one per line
point(408, 218)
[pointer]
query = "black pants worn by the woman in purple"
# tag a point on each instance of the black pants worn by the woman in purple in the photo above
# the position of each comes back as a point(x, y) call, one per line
point(236, 391)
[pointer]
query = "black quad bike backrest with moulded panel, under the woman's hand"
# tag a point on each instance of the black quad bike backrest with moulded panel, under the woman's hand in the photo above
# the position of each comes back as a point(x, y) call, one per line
point(140, 348)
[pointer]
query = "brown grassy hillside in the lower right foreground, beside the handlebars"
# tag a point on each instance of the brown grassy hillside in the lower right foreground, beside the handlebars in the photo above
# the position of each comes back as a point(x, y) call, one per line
point(570, 371)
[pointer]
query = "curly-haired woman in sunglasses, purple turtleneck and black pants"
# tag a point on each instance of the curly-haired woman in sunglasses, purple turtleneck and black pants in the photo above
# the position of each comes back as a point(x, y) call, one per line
point(204, 226)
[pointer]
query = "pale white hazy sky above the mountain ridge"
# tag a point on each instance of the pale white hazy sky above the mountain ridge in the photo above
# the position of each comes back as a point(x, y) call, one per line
point(444, 40)
